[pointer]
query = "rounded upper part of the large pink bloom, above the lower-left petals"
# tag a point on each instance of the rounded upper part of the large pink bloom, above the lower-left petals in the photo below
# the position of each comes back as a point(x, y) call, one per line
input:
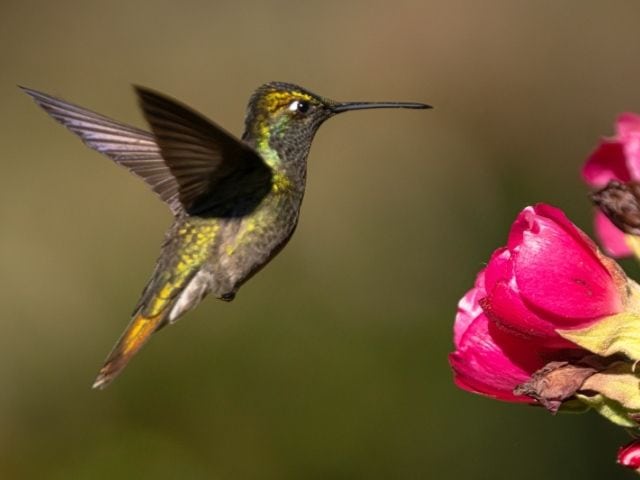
point(550, 276)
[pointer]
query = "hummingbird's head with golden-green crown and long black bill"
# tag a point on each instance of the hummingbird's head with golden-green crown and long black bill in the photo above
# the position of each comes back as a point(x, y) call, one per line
point(285, 117)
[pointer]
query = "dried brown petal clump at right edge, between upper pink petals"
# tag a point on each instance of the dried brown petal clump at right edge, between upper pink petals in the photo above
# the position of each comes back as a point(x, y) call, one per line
point(620, 202)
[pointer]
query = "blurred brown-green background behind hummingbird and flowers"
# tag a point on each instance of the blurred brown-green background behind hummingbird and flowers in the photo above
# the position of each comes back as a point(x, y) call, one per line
point(331, 363)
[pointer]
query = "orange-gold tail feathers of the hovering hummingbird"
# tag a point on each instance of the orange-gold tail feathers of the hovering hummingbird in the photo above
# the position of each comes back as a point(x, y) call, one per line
point(133, 338)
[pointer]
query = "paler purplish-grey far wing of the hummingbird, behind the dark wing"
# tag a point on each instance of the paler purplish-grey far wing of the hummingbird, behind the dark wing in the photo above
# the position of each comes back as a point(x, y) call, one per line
point(128, 146)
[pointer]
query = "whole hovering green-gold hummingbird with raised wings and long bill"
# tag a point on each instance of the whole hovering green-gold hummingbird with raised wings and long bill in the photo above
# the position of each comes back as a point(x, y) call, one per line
point(235, 202)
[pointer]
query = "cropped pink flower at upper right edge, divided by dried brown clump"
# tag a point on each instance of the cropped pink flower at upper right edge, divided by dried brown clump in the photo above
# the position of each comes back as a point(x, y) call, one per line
point(616, 158)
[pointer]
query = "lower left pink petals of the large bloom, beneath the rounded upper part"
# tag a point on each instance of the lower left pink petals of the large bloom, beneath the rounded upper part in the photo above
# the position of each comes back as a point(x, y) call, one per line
point(488, 360)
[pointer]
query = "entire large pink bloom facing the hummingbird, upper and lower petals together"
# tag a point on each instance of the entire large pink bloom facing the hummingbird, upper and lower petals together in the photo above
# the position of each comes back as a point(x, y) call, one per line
point(549, 276)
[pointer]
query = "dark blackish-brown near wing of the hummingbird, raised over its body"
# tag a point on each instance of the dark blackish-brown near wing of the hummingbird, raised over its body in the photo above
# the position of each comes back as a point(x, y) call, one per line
point(206, 161)
